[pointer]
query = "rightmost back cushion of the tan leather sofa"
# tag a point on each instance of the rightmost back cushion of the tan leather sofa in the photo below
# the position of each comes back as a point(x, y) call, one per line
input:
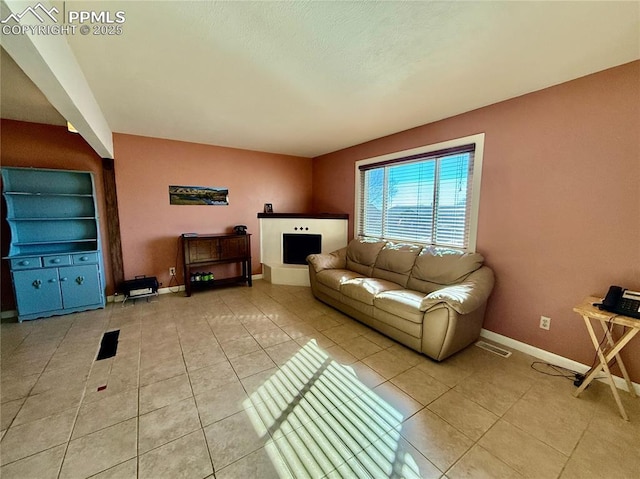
point(439, 266)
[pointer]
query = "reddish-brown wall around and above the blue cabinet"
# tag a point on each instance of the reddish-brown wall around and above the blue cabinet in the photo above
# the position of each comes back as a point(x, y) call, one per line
point(46, 146)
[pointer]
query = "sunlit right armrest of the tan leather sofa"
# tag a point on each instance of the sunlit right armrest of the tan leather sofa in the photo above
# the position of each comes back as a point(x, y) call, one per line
point(463, 297)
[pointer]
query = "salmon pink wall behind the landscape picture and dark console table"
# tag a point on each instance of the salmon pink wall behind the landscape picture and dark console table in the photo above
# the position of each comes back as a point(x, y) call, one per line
point(150, 226)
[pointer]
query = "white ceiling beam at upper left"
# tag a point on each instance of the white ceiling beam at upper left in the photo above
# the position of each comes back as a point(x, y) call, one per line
point(52, 66)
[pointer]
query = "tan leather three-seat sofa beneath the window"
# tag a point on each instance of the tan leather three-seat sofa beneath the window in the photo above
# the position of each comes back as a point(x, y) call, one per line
point(429, 299)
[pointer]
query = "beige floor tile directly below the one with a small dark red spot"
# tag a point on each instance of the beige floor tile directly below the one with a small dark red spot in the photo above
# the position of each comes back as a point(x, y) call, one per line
point(106, 412)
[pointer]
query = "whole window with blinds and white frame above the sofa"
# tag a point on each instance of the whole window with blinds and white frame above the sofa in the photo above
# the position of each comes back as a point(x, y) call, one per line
point(428, 195)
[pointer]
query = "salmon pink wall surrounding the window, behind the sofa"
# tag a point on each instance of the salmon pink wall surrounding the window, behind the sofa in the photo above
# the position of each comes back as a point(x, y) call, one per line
point(559, 203)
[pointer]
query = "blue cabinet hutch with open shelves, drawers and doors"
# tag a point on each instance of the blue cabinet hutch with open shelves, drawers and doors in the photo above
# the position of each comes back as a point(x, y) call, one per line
point(55, 254)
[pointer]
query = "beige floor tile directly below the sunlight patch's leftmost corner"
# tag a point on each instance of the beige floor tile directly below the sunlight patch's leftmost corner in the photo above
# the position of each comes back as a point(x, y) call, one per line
point(231, 439)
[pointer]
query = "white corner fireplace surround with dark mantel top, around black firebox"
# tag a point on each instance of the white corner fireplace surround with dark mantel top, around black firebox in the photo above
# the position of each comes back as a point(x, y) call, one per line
point(333, 227)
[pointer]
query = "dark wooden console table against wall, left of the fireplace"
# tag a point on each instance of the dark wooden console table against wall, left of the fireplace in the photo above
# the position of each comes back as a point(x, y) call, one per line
point(207, 250)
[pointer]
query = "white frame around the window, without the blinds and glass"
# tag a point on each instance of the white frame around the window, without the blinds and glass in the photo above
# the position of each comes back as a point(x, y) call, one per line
point(477, 140)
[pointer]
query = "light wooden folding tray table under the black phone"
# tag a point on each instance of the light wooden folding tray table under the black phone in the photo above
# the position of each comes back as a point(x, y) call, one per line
point(607, 352)
